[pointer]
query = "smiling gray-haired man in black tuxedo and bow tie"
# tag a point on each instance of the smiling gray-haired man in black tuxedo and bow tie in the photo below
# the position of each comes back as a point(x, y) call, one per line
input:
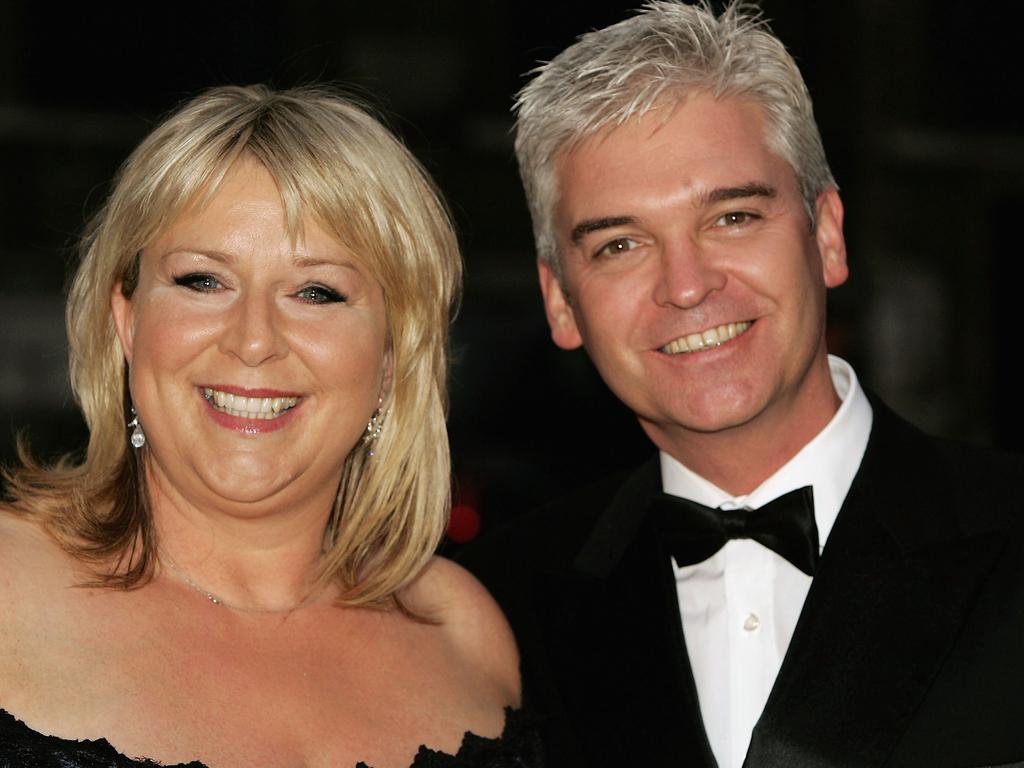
point(689, 229)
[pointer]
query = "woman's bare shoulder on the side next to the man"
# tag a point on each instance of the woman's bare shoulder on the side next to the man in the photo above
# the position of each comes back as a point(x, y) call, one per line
point(468, 615)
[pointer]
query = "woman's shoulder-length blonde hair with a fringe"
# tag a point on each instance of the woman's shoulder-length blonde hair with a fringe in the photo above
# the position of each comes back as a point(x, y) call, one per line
point(335, 163)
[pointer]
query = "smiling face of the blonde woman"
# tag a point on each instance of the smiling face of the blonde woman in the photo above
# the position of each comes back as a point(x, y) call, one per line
point(254, 364)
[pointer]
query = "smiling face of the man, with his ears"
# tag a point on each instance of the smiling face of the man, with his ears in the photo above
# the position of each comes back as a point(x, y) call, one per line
point(693, 275)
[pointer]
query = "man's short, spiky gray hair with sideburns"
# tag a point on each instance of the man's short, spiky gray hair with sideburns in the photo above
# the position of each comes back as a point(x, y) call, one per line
point(667, 52)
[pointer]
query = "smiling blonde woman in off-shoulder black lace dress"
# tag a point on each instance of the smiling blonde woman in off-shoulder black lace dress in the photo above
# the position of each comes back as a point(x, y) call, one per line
point(244, 576)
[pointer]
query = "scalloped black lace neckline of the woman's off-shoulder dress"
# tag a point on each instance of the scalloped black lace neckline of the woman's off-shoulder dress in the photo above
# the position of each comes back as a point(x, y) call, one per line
point(519, 747)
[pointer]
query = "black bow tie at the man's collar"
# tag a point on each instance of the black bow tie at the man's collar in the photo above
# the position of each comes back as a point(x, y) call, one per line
point(695, 533)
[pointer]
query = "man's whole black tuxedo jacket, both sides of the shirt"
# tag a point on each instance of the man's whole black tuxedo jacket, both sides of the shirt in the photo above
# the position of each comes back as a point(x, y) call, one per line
point(910, 651)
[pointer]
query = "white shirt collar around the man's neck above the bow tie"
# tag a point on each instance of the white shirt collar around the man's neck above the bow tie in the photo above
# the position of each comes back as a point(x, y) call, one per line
point(829, 462)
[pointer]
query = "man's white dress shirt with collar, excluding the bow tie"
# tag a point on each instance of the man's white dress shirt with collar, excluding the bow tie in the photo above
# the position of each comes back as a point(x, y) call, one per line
point(740, 608)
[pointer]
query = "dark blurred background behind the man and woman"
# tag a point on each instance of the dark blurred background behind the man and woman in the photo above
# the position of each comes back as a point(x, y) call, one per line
point(917, 104)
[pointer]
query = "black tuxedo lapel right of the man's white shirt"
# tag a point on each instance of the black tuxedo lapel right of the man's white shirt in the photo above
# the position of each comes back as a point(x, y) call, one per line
point(898, 578)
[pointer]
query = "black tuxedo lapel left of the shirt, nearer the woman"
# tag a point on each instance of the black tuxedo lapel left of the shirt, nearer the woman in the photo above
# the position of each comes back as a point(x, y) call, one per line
point(616, 641)
